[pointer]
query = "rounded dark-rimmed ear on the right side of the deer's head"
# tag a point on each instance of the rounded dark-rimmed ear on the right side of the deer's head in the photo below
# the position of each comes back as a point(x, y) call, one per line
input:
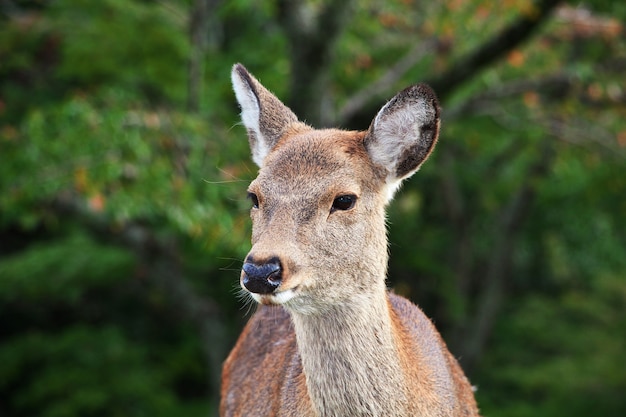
point(404, 133)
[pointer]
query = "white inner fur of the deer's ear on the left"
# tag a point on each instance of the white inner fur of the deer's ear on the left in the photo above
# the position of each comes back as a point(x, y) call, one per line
point(250, 116)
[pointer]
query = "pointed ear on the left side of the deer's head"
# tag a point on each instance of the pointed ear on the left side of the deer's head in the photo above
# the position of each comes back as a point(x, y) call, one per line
point(264, 116)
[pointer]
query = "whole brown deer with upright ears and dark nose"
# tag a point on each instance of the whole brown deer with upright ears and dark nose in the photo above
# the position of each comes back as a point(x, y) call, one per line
point(328, 338)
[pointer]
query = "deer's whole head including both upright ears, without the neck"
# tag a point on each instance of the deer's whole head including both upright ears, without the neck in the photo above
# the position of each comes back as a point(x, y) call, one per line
point(318, 203)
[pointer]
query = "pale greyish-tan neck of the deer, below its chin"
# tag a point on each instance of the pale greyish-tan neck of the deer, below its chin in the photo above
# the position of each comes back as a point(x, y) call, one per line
point(350, 359)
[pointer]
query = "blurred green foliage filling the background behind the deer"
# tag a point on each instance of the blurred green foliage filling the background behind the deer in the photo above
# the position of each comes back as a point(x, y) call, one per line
point(123, 217)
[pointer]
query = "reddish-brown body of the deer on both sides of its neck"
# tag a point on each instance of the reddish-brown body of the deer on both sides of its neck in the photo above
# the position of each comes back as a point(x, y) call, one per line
point(268, 345)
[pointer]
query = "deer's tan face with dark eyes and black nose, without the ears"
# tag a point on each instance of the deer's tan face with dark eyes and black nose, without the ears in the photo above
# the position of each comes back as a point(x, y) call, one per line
point(318, 222)
